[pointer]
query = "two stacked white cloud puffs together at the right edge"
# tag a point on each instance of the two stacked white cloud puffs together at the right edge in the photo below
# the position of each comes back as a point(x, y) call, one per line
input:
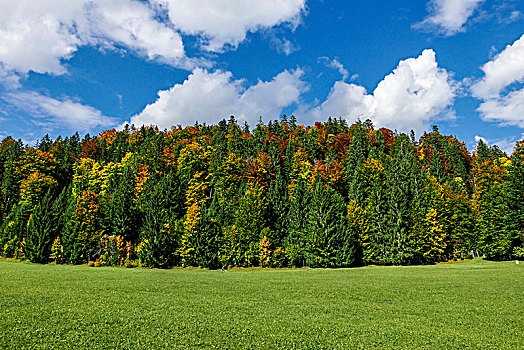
point(507, 68)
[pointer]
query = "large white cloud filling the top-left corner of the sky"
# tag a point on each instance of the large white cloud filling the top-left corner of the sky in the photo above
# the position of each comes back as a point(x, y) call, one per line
point(38, 35)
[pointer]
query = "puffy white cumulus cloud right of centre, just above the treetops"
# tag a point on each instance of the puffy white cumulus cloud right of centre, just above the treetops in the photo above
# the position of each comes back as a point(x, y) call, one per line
point(416, 93)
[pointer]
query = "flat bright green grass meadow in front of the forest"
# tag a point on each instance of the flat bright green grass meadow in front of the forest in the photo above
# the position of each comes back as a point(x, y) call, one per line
point(475, 304)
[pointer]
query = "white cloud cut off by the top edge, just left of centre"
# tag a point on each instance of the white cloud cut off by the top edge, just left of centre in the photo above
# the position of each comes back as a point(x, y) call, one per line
point(227, 22)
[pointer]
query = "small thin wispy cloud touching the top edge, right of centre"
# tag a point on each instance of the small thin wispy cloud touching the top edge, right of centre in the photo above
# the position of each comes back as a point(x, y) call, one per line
point(448, 17)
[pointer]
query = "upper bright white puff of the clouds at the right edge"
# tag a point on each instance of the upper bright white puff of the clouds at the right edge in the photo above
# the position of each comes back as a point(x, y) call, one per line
point(506, 68)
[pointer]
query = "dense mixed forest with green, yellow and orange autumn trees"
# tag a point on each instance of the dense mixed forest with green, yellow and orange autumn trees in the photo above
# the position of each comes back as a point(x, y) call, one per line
point(279, 195)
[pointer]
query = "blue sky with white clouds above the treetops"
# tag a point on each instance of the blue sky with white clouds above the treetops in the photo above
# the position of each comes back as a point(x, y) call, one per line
point(91, 65)
